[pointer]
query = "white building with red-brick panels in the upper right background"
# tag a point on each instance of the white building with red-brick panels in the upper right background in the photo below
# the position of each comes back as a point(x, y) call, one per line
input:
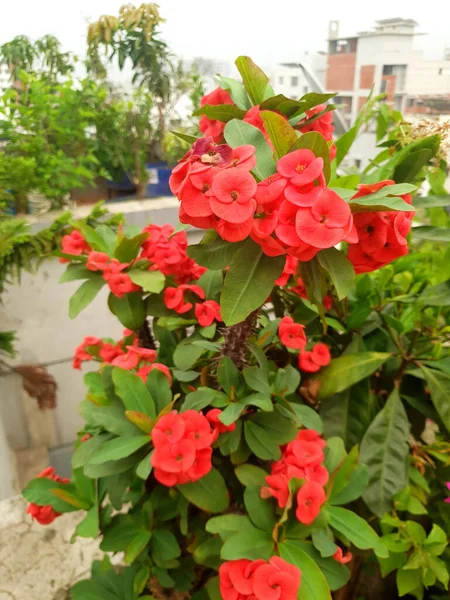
point(384, 59)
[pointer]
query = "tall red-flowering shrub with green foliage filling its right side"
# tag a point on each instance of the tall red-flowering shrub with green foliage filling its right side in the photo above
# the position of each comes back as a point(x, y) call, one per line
point(258, 426)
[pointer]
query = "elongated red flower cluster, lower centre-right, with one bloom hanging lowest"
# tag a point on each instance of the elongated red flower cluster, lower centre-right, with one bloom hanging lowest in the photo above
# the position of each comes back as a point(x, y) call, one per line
point(302, 459)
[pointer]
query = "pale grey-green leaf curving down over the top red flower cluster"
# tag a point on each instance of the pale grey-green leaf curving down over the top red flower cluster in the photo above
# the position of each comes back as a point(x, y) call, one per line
point(239, 133)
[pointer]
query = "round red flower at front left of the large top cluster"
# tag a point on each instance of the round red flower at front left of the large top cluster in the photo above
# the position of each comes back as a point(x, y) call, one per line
point(232, 195)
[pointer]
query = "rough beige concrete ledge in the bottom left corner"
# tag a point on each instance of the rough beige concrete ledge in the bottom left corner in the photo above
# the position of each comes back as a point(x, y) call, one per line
point(37, 562)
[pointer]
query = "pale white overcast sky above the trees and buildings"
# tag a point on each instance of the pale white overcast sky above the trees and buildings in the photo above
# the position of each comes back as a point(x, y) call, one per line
point(268, 31)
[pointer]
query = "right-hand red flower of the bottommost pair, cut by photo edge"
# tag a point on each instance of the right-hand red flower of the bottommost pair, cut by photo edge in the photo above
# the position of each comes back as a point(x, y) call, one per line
point(278, 580)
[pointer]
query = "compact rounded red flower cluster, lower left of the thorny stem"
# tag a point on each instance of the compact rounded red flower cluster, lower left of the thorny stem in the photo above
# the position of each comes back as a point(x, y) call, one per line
point(182, 447)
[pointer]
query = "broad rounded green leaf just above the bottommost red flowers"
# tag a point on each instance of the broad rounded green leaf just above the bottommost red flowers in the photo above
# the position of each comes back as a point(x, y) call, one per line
point(249, 543)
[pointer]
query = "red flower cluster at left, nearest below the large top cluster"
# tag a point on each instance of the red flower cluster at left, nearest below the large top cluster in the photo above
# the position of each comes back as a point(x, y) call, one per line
point(166, 251)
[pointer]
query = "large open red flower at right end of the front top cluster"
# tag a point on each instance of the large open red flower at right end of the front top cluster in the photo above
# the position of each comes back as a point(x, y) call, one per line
point(326, 222)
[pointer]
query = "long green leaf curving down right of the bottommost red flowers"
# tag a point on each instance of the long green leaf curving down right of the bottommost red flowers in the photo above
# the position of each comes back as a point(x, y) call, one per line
point(314, 586)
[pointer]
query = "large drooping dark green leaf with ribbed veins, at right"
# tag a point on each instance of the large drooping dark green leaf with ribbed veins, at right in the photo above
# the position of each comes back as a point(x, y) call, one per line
point(384, 450)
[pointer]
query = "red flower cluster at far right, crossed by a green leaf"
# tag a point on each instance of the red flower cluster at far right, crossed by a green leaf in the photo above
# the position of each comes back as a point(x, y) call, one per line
point(382, 235)
